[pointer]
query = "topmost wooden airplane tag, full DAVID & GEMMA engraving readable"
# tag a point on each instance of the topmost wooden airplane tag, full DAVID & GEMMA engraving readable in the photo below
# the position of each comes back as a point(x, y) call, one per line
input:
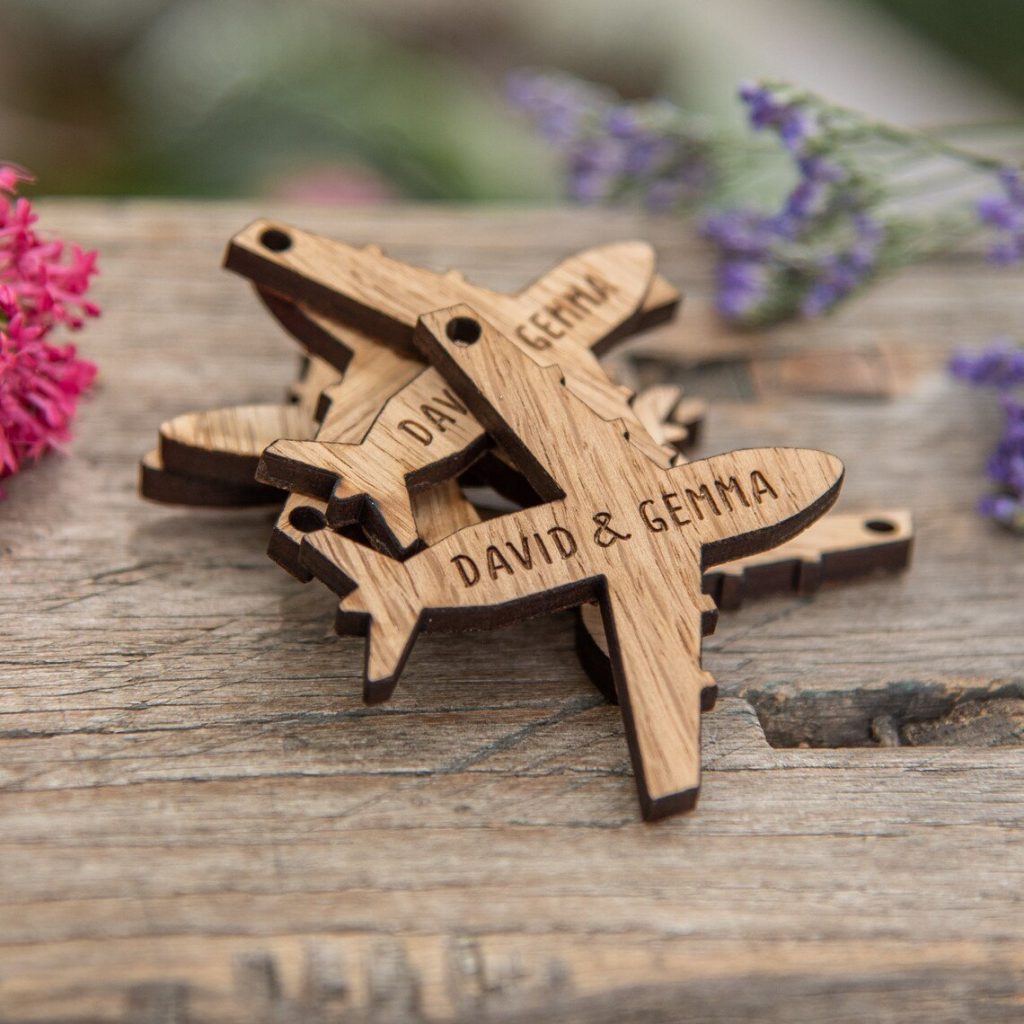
point(615, 526)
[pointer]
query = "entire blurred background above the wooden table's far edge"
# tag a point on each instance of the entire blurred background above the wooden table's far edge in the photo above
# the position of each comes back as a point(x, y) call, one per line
point(368, 101)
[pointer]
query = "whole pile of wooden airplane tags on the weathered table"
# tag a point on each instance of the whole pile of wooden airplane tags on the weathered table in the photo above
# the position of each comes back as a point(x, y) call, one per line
point(420, 391)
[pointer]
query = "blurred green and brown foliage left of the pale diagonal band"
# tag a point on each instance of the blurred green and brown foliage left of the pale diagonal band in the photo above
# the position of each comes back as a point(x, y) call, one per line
point(235, 97)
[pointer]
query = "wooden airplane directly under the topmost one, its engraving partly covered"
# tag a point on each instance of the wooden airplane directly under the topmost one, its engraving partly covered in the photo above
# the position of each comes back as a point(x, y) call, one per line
point(424, 435)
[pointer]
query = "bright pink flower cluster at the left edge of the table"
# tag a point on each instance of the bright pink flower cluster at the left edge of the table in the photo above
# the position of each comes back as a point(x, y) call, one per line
point(42, 285)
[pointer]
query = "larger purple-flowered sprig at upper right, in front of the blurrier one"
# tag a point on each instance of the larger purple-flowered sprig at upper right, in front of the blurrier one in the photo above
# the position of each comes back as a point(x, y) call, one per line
point(839, 227)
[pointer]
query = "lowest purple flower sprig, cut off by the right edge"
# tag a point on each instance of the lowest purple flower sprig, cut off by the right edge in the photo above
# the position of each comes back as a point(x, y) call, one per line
point(1001, 366)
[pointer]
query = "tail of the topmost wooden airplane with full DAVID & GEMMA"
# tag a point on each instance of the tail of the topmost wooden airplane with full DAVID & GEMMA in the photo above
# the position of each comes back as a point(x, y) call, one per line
point(377, 598)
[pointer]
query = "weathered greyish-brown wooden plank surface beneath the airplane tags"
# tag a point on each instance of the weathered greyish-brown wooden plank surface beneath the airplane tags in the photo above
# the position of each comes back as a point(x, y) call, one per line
point(201, 822)
